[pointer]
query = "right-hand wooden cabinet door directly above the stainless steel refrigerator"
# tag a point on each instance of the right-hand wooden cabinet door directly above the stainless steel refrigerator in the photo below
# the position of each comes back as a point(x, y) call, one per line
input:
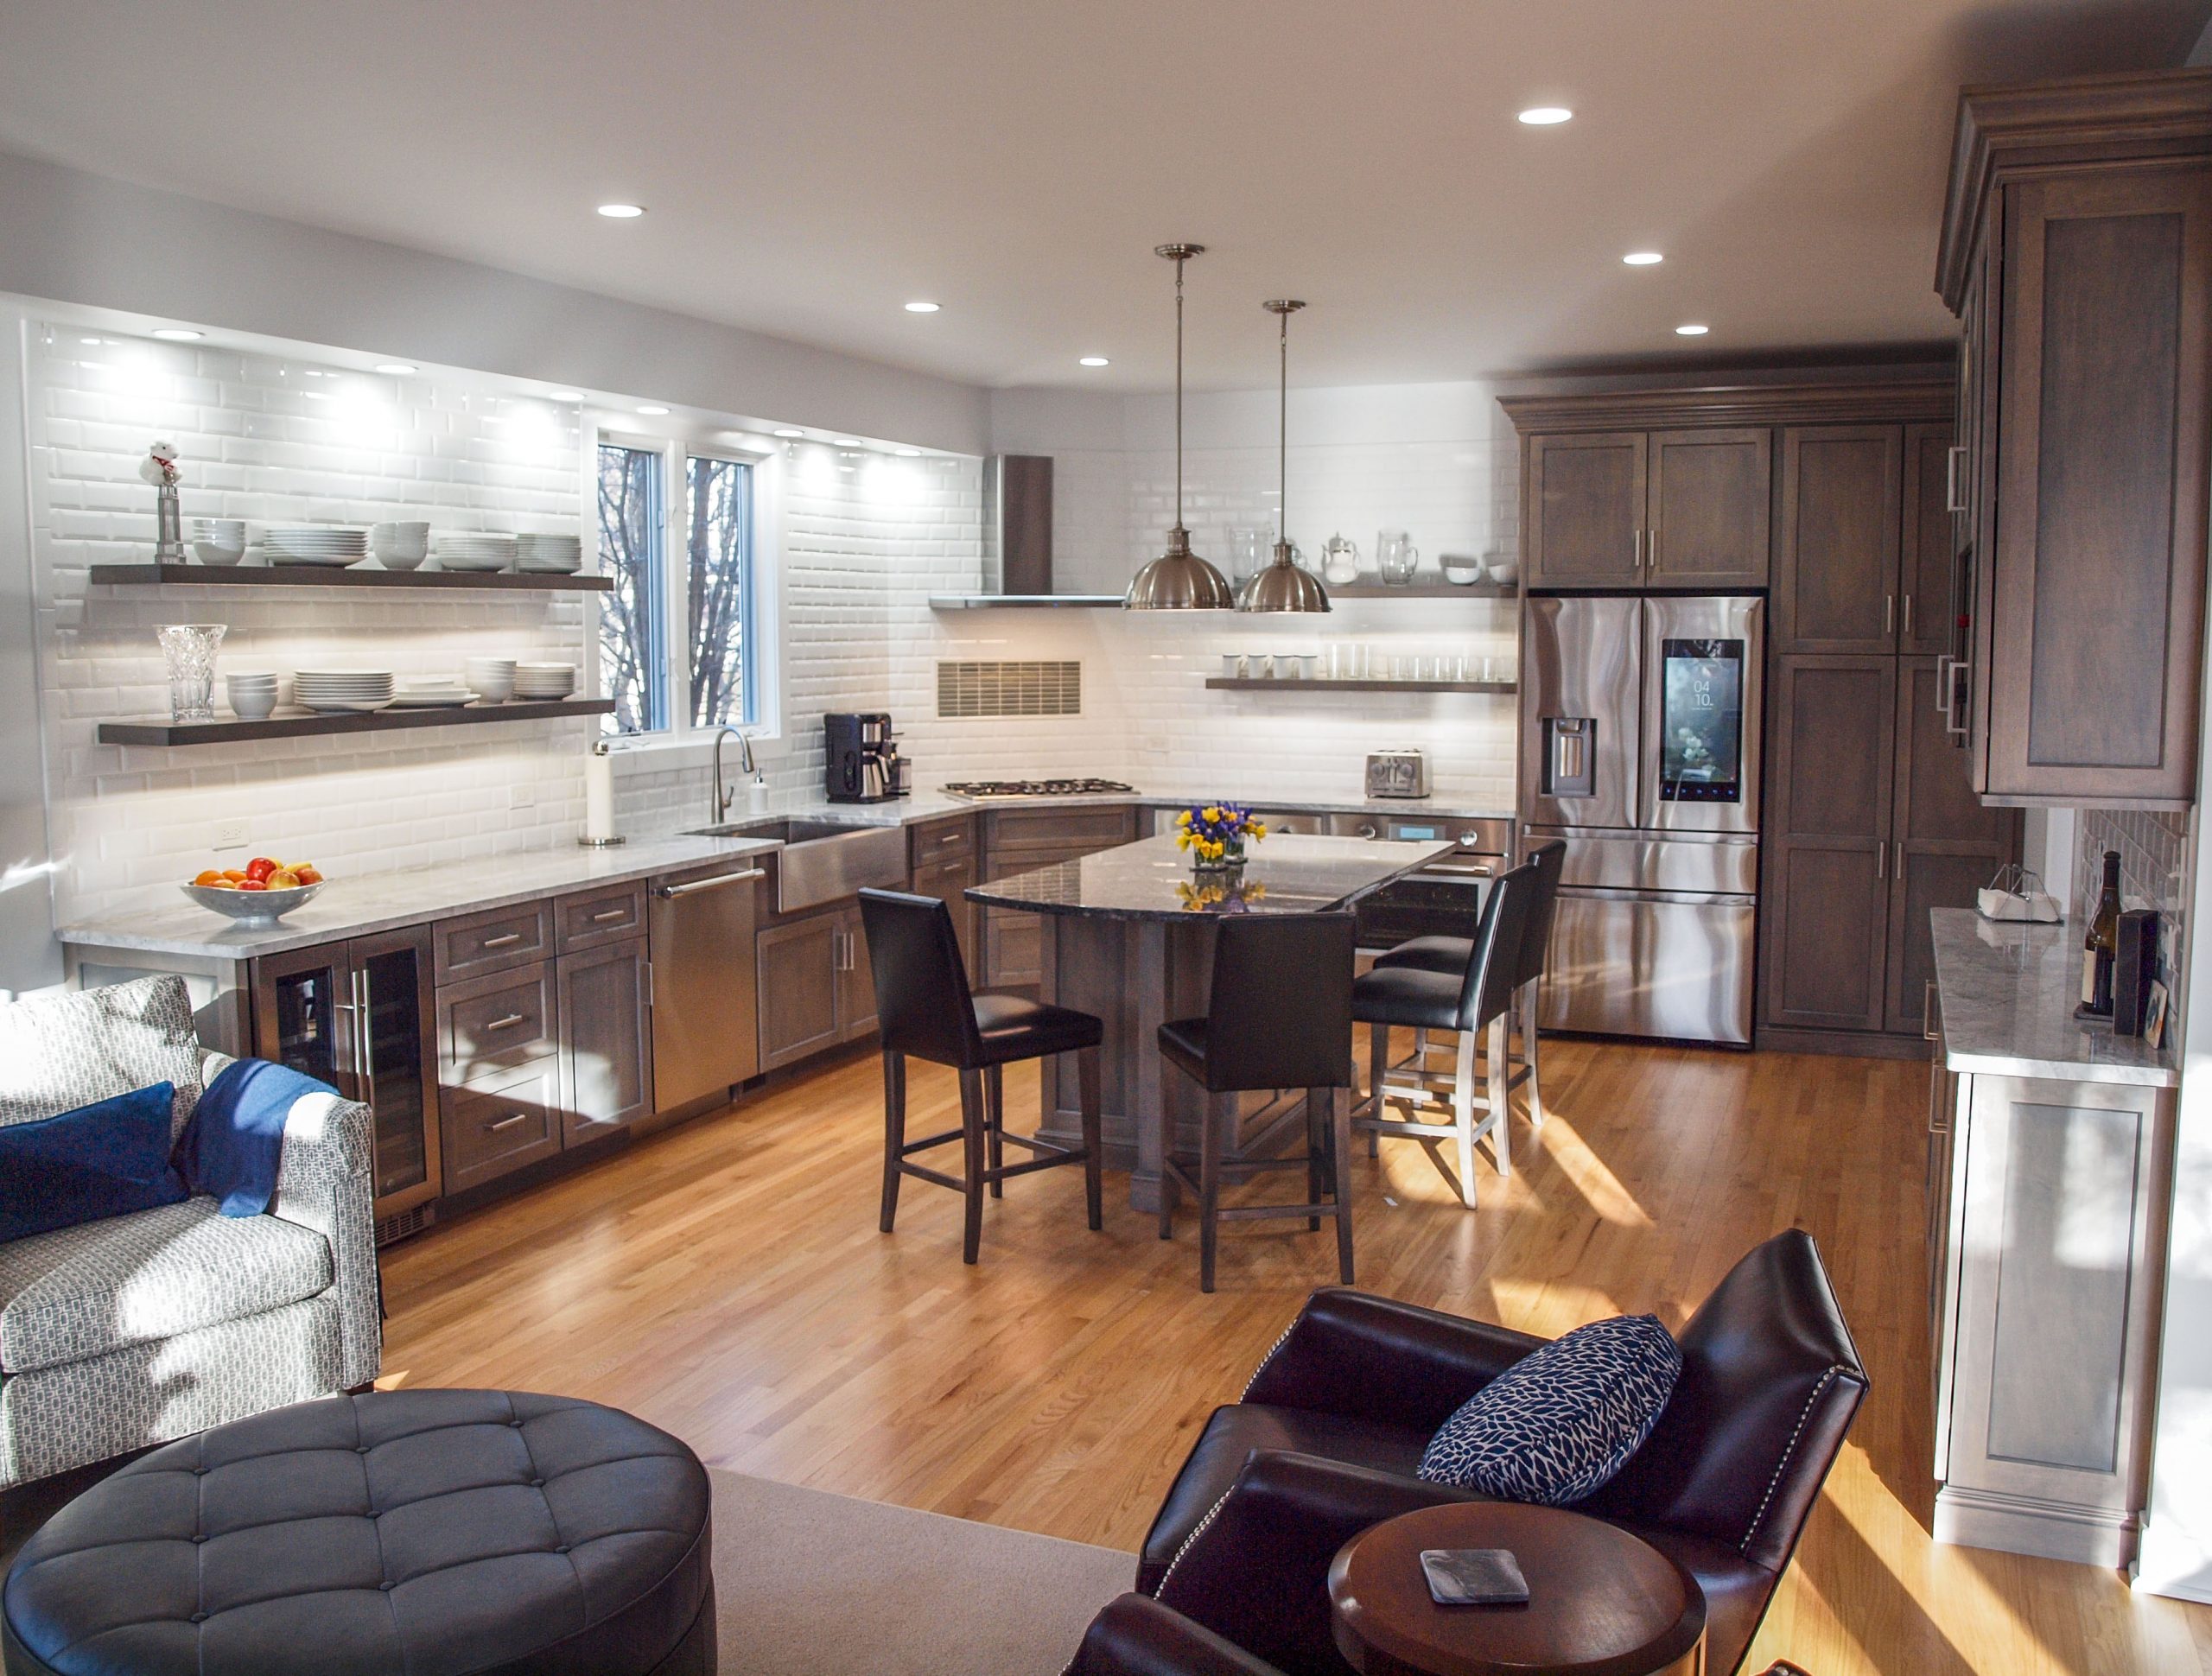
point(1709, 510)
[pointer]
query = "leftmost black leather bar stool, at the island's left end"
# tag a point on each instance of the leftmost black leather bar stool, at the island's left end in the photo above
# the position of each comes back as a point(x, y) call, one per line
point(926, 1007)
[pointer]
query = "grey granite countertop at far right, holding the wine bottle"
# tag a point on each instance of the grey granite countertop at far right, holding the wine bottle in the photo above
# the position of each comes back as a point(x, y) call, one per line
point(2007, 1007)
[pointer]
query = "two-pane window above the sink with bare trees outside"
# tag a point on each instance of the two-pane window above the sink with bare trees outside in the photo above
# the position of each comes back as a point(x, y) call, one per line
point(685, 598)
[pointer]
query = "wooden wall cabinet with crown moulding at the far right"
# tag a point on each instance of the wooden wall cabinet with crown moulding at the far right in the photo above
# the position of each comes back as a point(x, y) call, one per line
point(2078, 253)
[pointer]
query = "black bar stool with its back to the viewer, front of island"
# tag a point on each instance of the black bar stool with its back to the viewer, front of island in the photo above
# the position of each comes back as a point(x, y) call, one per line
point(1280, 1018)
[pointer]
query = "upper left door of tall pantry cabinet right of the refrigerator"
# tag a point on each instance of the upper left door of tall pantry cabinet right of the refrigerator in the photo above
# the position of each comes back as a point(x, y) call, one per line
point(1837, 561)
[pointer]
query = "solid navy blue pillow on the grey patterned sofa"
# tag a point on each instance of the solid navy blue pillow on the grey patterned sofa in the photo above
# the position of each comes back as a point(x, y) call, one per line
point(103, 1160)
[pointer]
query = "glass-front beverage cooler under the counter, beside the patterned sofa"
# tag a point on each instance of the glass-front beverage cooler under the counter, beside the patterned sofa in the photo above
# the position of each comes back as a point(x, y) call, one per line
point(359, 1016)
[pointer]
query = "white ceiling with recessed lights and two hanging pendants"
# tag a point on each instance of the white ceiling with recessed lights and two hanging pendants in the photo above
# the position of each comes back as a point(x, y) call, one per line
point(811, 167)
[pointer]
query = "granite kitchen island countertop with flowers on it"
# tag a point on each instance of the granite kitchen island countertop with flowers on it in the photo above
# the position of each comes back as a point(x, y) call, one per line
point(1154, 881)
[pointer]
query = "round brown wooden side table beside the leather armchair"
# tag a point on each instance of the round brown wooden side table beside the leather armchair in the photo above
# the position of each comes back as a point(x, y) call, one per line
point(1600, 1602)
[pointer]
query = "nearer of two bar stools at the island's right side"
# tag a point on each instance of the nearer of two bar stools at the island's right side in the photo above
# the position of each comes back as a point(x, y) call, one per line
point(1472, 1001)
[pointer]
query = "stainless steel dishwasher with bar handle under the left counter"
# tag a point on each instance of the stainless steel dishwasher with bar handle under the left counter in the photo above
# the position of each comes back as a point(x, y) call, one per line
point(707, 1031)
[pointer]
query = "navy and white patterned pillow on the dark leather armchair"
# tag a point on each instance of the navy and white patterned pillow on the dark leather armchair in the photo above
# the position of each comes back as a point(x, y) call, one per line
point(1563, 1421)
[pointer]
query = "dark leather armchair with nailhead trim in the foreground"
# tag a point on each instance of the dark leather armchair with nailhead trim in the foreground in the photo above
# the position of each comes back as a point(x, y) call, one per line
point(1333, 1427)
